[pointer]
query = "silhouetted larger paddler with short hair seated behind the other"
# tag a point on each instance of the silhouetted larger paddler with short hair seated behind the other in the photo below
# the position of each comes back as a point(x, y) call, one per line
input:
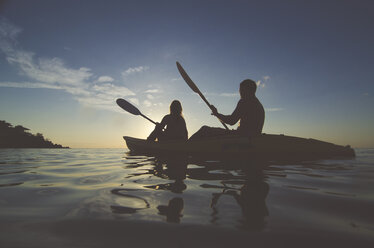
point(249, 112)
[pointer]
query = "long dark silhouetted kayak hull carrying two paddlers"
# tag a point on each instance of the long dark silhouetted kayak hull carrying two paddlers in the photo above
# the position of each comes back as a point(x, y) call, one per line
point(269, 146)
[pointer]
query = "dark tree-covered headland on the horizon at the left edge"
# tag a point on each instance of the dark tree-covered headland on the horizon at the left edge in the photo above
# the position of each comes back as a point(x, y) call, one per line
point(18, 137)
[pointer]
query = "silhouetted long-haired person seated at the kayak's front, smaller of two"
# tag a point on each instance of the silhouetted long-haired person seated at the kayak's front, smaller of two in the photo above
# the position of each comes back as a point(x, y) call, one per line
point(175, 125)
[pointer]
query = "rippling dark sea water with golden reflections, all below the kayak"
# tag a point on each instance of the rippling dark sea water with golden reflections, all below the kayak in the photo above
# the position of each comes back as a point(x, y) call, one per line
point(105, 197)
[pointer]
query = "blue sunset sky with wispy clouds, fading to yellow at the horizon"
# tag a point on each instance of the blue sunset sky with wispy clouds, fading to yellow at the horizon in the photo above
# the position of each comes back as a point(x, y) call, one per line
point(64, 63)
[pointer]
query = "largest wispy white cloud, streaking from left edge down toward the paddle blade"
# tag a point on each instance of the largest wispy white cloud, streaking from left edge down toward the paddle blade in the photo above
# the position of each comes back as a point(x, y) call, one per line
point(53, 73)
